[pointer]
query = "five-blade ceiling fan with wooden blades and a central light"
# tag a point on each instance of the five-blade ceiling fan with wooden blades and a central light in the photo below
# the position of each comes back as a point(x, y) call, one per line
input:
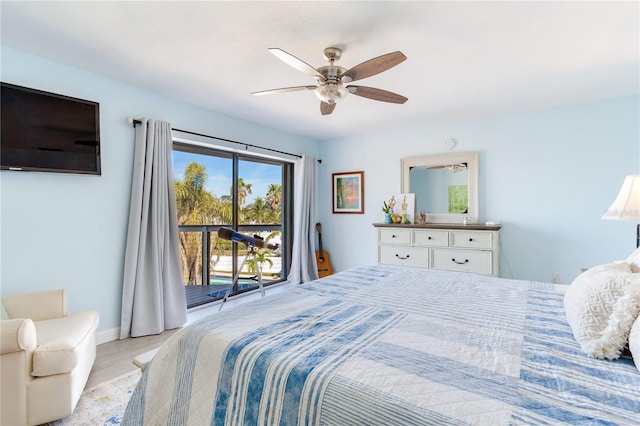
point(331, 79)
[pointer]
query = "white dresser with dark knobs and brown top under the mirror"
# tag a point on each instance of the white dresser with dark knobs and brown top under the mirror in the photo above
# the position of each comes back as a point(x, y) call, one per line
point(452, 247)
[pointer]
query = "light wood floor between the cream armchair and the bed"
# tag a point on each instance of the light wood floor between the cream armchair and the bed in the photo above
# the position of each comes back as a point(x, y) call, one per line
point(115, 358)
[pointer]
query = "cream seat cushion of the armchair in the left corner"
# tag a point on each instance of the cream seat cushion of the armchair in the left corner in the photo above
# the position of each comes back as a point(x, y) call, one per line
point(58, 342)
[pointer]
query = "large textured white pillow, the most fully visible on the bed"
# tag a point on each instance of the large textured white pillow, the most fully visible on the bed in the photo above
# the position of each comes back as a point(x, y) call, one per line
point(601, 305)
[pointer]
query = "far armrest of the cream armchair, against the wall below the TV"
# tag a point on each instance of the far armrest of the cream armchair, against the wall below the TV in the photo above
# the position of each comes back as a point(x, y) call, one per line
point(37, 306)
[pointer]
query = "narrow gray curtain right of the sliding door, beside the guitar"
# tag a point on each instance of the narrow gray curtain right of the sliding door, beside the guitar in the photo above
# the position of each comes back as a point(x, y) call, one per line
point(303, 261)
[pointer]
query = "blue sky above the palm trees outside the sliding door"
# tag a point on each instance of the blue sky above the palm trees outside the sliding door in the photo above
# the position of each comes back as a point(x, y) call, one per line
point(219, 173)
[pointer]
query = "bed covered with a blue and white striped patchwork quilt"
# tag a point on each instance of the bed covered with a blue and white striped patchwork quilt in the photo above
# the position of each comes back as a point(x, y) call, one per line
point(380, 345)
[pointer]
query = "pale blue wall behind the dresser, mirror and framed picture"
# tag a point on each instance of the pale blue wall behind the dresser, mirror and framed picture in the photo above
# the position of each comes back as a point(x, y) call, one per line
point(547, 175)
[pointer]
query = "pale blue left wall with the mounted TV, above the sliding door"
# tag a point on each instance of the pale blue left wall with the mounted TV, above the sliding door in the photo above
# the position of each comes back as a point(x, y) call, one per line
point(68, 231)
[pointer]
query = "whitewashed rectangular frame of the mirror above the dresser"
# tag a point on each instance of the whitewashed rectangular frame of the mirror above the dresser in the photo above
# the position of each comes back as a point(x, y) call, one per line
point(471, 158)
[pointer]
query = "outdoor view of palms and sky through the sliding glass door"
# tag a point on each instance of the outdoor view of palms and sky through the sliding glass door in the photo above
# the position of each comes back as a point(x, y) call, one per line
point(208, 198)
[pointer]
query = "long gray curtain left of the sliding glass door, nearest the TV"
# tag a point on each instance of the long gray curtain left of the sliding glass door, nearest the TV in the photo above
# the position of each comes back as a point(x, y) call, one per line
point(153, 297)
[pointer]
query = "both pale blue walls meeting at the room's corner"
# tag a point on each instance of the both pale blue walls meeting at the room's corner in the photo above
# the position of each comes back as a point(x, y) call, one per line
point(547, 175)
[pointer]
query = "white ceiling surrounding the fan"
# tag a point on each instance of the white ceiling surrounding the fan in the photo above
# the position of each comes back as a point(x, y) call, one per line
point(465, 59)
